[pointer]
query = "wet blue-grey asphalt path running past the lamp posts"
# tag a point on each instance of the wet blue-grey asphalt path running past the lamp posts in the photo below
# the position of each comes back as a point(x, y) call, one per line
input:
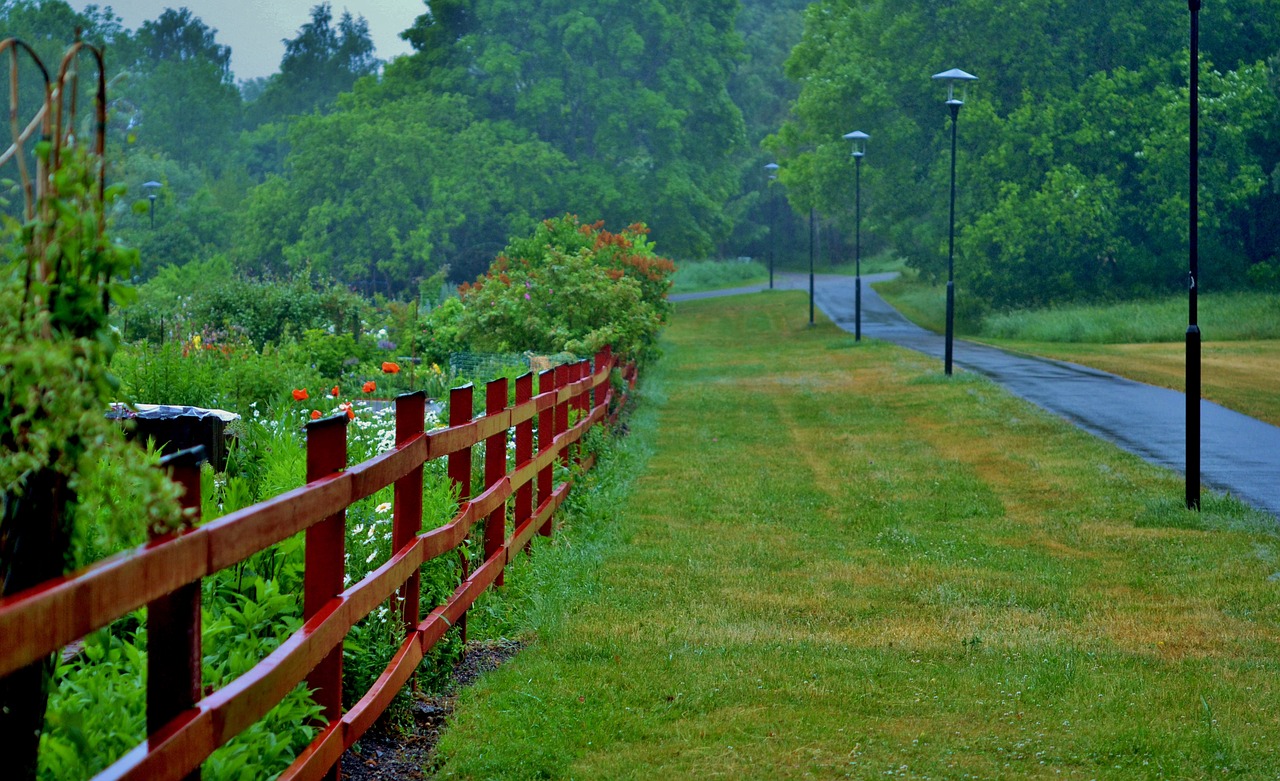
point(1238, 454)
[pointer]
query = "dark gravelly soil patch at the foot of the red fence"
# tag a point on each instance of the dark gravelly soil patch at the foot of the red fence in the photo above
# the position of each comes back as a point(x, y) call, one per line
point(385, 755)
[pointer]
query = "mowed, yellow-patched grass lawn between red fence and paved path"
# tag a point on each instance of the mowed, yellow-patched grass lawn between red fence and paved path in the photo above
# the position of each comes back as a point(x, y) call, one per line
point(839, 564)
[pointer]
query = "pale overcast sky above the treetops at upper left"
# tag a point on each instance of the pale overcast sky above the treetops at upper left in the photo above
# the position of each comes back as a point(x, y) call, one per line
point(255, 30)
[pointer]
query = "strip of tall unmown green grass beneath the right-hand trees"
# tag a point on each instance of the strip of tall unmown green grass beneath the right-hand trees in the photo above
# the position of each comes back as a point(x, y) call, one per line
point(1223, 318)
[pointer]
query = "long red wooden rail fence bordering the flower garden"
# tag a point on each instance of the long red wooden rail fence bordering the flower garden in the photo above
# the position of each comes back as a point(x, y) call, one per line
point(185, 728)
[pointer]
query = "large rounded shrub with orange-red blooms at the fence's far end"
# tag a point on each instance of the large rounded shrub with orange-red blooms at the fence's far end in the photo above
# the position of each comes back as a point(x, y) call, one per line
point(572, 287)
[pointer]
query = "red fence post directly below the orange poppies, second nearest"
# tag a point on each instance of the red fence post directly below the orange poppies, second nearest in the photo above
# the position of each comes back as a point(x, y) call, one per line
point(326, 561)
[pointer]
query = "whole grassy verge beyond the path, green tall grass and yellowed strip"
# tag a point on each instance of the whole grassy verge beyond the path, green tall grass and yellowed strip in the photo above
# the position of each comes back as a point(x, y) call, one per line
point(1142, 341)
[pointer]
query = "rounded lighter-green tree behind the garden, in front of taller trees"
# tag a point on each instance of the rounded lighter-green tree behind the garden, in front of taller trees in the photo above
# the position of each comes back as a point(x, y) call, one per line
point(346, 208)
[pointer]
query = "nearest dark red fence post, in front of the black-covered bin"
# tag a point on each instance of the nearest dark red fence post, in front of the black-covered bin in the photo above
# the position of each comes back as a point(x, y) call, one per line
point(173, 622)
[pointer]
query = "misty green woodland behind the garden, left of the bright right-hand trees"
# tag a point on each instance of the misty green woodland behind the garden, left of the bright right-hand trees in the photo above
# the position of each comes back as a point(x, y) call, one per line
point(380, 175)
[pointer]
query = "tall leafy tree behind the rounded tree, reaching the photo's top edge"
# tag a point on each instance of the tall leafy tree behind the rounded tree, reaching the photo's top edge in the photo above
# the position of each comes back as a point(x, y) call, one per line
point(634, 93)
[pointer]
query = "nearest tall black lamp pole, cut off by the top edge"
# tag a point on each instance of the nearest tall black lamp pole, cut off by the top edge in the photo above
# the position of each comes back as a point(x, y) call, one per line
point(1194, 336)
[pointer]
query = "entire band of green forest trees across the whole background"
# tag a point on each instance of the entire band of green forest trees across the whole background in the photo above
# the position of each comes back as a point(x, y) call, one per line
point(1073, 143)
